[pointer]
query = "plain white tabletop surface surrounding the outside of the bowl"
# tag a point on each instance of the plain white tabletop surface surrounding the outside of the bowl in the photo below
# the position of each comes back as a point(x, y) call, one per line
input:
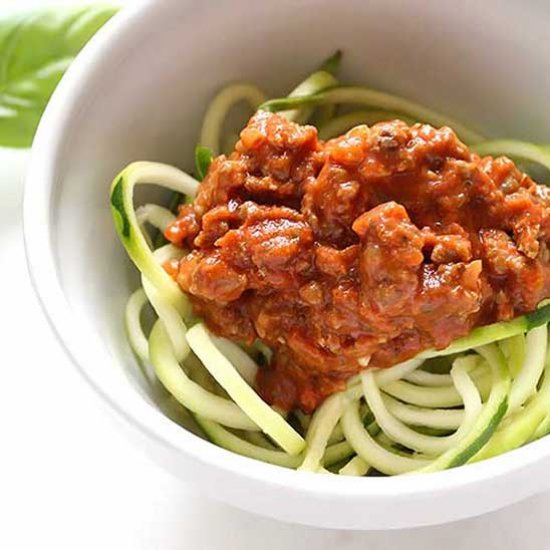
point(69, 481)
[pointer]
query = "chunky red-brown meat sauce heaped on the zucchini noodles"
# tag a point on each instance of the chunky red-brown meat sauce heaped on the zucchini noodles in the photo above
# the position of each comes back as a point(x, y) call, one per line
point(362, 250)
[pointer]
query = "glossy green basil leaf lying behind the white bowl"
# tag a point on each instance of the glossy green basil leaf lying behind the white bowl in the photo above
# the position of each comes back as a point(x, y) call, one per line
point(36, 47)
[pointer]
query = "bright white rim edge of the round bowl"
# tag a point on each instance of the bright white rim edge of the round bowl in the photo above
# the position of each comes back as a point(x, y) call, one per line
point(46, 157)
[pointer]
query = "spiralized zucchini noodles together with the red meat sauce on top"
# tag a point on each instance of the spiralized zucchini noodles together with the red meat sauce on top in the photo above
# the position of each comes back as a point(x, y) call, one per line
point(359, 292)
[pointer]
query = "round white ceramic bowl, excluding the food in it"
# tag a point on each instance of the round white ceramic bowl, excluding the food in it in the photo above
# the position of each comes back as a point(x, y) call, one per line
point(138, 91)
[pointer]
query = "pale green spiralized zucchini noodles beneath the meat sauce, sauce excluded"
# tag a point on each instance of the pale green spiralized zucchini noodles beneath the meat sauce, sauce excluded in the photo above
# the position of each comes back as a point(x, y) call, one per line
point(491, 396)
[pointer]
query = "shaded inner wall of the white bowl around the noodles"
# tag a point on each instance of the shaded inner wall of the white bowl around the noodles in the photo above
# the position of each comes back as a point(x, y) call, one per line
point(146, 98)
